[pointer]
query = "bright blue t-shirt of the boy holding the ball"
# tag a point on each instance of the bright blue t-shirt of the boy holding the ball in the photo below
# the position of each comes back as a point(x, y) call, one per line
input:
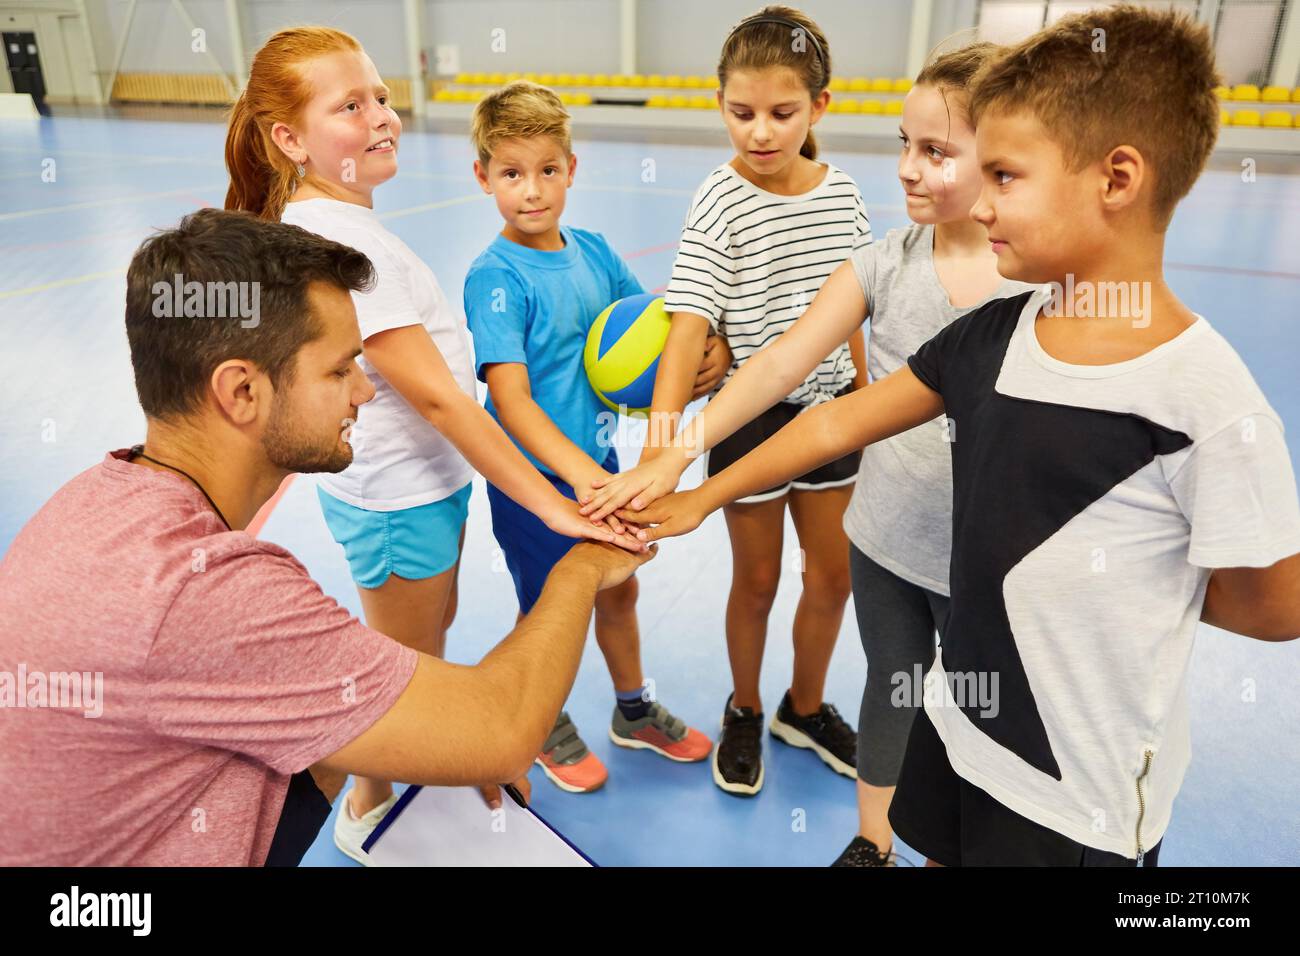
point(536, 308)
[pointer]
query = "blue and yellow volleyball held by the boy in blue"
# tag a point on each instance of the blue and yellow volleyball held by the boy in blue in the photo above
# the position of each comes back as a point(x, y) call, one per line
point(623, 352)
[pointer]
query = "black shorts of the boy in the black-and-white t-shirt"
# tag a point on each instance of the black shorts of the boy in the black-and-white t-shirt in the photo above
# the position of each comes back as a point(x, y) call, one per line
point(957, 824)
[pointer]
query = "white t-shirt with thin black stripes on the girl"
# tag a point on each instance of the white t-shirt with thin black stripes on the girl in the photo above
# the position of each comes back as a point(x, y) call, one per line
point(751, 262)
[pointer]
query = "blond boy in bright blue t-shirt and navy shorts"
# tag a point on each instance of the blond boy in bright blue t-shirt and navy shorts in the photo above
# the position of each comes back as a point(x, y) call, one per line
point(531, 300)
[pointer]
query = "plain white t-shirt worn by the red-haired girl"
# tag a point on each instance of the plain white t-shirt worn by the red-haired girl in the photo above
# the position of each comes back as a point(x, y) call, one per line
point(400, 461)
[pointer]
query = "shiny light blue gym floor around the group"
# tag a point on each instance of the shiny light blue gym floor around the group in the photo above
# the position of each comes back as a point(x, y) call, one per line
point(68, 397)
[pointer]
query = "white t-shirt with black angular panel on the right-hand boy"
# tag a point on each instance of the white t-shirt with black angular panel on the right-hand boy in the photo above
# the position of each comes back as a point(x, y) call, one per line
point(1090, 504)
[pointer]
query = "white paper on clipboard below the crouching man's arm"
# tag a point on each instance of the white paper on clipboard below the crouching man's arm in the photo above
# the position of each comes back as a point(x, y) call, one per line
point(452, 827)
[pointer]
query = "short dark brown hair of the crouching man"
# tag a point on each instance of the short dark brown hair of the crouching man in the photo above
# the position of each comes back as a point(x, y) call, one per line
point(179, 339)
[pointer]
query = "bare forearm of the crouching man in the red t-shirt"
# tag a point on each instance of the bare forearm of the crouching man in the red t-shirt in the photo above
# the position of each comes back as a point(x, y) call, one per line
point(536, 665)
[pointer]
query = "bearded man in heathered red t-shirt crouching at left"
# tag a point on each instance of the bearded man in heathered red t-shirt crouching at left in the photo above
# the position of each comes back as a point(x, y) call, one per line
point(166, 680)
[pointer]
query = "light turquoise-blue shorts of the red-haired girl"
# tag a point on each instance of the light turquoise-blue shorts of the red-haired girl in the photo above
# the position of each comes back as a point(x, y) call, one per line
point(414, 543)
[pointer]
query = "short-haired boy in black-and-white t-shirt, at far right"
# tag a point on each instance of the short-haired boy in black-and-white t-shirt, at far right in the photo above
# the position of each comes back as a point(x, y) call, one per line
point(1117, 473)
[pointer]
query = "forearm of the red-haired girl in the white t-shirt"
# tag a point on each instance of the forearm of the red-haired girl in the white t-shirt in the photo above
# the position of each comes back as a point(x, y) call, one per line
point(469, 426)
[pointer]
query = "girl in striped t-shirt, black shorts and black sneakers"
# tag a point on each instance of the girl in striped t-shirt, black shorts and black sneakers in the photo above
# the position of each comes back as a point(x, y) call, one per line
point(764, 232)
